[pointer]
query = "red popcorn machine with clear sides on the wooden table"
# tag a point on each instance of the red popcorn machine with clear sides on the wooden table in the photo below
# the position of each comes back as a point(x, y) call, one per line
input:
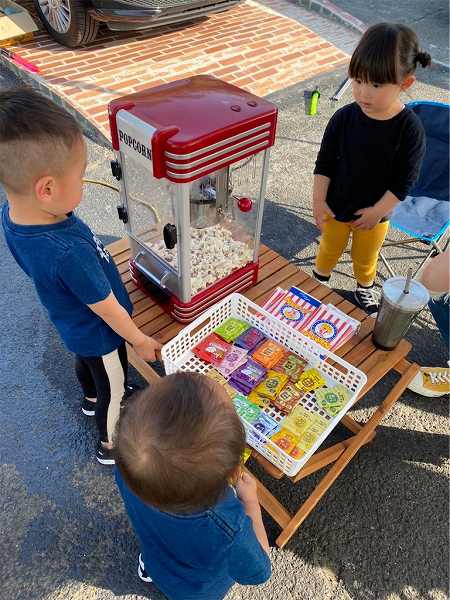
point(192, 159)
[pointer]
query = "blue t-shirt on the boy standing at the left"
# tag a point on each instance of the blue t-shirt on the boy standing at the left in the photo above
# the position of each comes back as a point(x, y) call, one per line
point(70, 268)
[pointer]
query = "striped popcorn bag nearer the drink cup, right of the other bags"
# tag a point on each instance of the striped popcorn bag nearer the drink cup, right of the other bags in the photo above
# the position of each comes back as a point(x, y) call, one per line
point(330, 327)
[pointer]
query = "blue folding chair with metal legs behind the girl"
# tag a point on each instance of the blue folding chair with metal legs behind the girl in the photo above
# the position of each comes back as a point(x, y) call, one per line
point(424, 214)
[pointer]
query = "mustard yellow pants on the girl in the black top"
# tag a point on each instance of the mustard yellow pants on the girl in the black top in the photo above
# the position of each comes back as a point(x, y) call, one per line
point(366, 246)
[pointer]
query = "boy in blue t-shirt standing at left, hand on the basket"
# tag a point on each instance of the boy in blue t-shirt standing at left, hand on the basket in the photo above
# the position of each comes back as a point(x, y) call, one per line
point(42, 163)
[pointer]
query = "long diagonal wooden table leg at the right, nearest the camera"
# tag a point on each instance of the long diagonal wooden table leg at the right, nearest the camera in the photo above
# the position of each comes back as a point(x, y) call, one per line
point(358, 440)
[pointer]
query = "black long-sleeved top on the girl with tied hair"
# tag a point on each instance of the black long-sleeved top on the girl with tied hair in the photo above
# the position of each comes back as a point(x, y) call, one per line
point(365, 157)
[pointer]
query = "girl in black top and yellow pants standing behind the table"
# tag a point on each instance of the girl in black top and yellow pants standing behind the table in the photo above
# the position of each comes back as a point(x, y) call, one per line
point(370, 156)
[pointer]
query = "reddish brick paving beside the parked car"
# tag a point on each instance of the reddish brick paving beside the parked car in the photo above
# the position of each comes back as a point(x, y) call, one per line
point(253, 45)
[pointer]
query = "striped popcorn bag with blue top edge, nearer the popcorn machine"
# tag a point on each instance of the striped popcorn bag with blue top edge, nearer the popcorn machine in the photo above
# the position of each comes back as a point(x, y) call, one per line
point(294, 307)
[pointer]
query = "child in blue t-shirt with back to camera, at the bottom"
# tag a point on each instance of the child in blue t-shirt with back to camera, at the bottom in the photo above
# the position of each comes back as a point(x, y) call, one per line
point(178, 446)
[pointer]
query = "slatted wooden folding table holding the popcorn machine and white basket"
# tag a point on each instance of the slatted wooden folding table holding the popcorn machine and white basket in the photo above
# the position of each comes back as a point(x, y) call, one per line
point(359, 351)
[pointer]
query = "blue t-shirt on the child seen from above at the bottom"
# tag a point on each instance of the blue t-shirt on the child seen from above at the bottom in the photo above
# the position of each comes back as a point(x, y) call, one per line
point(197, 556)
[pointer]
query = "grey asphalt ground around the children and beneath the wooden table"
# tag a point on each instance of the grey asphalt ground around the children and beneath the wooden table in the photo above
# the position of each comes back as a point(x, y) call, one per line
point(380, 533)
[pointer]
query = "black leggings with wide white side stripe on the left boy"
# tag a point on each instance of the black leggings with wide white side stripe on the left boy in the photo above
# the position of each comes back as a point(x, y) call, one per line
point(103, 378)
